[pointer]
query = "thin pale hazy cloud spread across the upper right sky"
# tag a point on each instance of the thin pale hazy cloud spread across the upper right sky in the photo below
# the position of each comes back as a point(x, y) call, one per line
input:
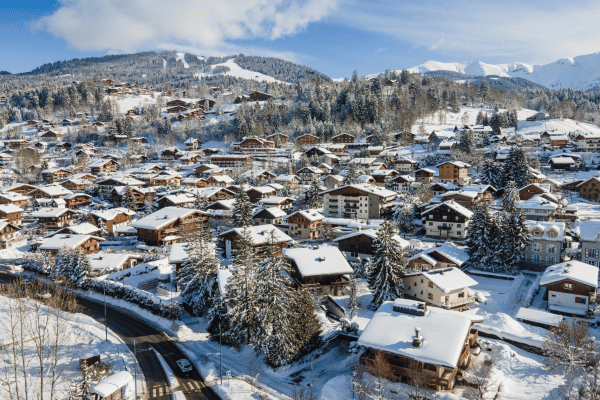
point(529, 31)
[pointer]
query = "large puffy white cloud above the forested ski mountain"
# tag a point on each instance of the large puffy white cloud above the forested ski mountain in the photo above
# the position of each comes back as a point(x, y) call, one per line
point(130, 25)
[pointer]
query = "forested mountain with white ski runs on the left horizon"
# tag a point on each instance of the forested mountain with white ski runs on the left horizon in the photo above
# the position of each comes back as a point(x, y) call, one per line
point(152, 66)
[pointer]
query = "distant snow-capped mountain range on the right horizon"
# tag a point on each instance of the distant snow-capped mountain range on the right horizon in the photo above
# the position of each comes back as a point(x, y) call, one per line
point(581, 72)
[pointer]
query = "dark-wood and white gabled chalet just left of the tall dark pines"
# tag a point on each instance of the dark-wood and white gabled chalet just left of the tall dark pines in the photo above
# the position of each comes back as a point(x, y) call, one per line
point(447, 220)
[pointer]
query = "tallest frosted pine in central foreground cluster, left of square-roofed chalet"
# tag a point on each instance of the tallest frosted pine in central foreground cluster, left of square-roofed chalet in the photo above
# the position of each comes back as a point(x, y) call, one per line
point(275, 336)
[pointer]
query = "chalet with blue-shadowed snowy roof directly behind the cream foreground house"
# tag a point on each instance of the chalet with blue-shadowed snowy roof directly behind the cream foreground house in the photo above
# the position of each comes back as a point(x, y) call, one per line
point(443, 256)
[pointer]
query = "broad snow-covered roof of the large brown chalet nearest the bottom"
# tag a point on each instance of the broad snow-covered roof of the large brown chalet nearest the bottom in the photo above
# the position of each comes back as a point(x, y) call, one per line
point(443, 332)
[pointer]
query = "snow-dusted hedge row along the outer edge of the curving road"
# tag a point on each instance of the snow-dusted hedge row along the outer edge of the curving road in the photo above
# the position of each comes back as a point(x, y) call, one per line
point(136, 296)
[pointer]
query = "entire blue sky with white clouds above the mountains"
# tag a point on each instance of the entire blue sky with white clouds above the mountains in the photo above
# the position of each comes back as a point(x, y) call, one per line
point(335, 37)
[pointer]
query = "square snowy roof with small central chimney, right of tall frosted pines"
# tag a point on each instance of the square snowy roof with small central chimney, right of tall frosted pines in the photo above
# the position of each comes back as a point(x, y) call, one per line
point(319, 260)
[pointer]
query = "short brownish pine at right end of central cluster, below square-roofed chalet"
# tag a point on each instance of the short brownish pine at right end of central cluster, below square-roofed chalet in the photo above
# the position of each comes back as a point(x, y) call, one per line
point(307, 326)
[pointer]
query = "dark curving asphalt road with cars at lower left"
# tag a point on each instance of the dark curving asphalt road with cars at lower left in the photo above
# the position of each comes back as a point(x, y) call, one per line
point(130, 329)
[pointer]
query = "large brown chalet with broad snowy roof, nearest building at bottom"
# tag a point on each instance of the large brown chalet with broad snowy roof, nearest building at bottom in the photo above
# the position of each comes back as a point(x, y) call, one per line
point(422, 345)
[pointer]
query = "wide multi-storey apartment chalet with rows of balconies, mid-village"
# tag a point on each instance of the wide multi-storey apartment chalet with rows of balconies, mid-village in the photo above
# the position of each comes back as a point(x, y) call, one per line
point(358, 201)
